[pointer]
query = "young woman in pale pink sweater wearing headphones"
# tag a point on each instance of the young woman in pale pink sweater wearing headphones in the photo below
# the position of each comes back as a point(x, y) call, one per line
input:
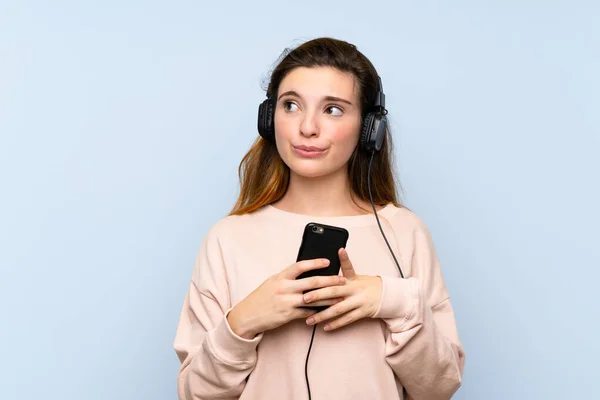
point(244, 331)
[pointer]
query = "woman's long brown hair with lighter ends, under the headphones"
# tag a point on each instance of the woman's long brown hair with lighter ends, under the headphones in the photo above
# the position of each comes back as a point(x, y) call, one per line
point(264, 177)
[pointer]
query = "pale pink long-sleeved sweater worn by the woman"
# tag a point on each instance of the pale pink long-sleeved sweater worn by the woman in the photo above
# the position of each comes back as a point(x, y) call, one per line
point(412, 341)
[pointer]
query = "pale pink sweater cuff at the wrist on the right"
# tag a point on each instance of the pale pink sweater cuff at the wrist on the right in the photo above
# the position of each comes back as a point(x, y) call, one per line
point(399, 298)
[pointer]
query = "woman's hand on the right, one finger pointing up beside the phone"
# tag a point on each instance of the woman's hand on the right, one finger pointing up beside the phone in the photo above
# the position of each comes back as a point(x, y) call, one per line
point(360, 297)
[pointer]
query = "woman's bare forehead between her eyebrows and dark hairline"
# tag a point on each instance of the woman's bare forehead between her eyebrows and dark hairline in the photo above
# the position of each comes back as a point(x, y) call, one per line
point(316, 82)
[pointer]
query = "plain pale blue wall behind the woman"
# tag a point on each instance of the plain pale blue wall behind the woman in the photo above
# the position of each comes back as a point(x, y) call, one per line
point(122, 126)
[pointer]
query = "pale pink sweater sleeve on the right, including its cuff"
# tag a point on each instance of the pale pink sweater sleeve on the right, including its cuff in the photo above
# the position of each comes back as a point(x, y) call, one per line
point(422, 344)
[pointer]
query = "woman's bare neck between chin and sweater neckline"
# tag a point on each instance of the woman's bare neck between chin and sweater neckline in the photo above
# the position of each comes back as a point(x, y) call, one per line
point(323, 196)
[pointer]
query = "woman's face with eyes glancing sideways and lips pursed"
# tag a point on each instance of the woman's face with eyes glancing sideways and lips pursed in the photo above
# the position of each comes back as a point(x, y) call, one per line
point(317, 120)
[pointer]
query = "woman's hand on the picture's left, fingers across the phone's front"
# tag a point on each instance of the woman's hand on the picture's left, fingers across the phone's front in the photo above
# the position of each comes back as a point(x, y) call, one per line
point(279, 299)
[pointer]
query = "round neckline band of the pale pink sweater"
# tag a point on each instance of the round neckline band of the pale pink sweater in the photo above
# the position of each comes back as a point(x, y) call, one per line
point(345, 220)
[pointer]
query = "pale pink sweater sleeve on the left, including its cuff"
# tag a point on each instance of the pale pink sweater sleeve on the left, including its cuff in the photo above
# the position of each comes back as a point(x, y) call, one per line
point(215, 362)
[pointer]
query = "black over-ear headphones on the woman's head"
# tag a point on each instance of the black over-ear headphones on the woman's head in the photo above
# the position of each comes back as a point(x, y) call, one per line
point(373, 131)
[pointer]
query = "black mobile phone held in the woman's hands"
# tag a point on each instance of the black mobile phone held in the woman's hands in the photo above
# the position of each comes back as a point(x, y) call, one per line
point(322, 241)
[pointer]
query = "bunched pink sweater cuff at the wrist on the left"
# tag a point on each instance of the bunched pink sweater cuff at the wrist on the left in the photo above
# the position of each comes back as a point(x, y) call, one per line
point(231, 348)
